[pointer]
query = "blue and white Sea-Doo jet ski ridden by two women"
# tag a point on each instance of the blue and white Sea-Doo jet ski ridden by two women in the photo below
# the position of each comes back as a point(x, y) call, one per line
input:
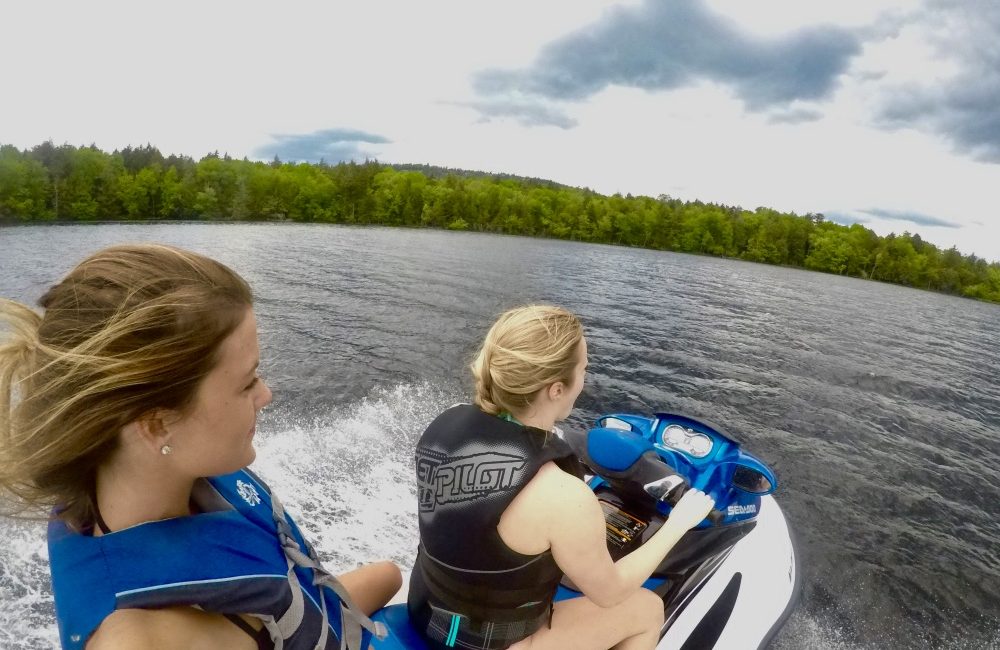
point(731, 582)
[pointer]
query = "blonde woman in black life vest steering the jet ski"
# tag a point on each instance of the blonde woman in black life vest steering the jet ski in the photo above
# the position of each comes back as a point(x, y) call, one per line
point(503, 513)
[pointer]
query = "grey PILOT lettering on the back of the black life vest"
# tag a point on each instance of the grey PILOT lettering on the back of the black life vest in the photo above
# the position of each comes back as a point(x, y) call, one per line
point(442, 479)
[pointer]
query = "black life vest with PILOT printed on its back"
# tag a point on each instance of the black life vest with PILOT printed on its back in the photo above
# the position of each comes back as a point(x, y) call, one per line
point(468, 588)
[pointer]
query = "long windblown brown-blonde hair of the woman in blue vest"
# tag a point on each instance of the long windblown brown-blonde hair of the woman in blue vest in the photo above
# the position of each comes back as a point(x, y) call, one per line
point(130, 330)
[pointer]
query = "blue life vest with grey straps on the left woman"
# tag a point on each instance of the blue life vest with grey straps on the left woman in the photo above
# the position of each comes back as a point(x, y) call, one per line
point(248, 557)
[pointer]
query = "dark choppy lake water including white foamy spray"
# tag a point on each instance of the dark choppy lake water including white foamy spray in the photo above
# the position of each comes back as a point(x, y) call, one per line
point(878, 406)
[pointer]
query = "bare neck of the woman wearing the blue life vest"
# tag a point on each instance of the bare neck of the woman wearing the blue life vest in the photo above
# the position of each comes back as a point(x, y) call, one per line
point(129, 495)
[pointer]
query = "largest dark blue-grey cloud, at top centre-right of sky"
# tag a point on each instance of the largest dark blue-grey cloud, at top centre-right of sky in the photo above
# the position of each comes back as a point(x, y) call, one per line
point(662, 45)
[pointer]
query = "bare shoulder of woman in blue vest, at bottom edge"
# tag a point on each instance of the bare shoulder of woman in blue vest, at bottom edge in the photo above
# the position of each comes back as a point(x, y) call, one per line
point(167, 629)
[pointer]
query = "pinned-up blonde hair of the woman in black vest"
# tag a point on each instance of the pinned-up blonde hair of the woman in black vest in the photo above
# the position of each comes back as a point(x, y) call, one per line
point(527, 349)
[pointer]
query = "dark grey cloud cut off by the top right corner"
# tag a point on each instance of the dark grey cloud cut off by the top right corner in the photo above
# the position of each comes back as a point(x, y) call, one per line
point(963, 108)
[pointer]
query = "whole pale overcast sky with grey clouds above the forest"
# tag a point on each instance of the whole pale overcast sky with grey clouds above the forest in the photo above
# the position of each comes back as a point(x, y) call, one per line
point(879, 112)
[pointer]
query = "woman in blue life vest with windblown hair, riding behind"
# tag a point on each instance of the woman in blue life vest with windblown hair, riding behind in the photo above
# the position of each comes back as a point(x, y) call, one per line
point(129, 407)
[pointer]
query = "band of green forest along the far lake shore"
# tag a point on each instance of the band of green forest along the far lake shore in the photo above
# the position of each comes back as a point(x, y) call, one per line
point(64, 183)
